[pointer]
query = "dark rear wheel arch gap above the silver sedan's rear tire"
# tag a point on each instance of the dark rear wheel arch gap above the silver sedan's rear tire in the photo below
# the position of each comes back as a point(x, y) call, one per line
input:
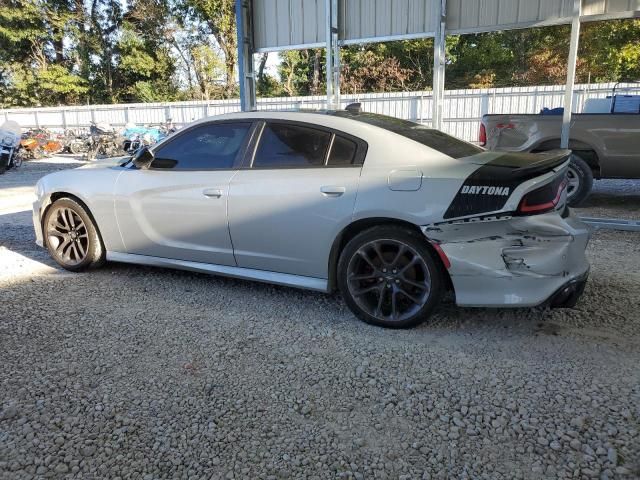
point(358, 226)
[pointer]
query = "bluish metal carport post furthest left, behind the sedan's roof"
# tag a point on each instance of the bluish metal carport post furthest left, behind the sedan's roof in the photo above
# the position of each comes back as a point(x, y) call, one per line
point(246, 75)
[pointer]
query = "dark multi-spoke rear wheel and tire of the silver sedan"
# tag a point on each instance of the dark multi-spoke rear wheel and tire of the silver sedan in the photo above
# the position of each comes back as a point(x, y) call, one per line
point(389, 277)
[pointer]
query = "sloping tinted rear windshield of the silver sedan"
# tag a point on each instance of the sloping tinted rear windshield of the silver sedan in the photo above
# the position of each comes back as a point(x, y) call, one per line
point(430, 137)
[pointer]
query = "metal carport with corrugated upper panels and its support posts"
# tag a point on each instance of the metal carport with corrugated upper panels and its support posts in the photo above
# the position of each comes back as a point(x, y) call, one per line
point(273, 25)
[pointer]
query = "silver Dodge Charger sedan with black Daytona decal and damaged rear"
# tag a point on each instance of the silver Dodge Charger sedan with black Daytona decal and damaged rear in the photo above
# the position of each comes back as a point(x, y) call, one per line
point(390, 213)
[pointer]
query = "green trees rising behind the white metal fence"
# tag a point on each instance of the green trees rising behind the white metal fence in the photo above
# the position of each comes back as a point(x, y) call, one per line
point(102, 51)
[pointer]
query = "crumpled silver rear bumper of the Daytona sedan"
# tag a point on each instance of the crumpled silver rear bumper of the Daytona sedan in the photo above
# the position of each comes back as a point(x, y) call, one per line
point(515, 261)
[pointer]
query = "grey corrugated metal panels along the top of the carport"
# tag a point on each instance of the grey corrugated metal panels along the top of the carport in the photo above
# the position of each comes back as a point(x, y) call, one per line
point(281, 24)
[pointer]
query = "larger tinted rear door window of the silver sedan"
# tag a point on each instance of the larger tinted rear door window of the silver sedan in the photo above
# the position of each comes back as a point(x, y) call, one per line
point(291, 146)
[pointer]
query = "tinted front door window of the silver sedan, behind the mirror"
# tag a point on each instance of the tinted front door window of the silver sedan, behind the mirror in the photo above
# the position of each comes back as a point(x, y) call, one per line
point(205, 147)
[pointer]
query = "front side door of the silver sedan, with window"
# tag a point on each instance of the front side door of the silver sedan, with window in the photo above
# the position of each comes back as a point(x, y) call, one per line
point(177, 208)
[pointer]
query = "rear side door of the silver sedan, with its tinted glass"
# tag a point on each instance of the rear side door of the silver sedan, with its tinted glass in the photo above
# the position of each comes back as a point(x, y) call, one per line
point(296, 194)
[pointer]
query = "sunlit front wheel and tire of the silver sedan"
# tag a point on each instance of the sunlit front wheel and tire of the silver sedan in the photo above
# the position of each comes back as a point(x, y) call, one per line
point(71, 236)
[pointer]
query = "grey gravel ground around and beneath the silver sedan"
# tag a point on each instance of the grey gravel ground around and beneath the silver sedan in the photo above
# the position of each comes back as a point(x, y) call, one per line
point(133, 372)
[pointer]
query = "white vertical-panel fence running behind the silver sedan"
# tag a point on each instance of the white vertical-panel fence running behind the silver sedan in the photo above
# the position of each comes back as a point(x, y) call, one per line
point(462, 108)
